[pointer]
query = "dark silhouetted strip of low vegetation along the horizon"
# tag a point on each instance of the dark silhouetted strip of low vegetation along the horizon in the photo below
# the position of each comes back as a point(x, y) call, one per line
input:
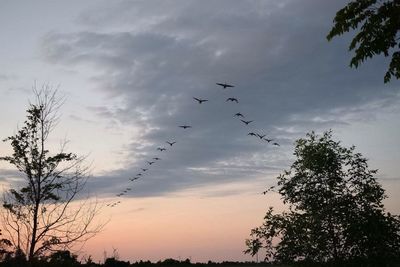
point(67, 259)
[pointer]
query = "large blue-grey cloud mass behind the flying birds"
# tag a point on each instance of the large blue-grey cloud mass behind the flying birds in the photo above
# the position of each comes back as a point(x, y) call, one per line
point(151, 57)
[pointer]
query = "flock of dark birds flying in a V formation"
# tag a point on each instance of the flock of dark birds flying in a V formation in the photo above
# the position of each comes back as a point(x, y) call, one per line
point(151, 161)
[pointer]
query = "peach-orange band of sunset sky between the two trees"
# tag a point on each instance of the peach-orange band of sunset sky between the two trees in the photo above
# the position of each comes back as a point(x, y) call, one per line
point(181, 226)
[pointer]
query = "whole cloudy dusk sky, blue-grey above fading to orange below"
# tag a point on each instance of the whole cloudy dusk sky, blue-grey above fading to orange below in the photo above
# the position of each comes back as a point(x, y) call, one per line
point(129, 71)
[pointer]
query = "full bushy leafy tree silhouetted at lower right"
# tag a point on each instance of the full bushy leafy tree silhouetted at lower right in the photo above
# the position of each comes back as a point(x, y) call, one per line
point(335, 211)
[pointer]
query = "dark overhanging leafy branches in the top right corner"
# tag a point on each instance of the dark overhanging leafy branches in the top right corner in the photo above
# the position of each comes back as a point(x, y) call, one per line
point(378, 22)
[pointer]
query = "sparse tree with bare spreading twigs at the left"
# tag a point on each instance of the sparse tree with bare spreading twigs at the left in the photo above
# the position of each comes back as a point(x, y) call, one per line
point(43, 213)
